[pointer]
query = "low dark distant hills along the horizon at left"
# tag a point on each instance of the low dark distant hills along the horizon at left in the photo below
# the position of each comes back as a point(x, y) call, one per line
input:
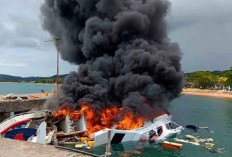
point(4, 77)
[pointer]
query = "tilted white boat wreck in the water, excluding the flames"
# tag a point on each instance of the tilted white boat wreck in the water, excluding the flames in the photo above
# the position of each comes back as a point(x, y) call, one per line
point(159, 129)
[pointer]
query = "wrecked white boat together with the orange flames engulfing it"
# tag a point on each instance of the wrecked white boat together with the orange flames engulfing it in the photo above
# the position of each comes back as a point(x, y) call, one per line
point(128, 128)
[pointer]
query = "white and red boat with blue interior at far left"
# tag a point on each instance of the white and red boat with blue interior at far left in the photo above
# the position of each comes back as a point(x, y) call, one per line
point(17, 127)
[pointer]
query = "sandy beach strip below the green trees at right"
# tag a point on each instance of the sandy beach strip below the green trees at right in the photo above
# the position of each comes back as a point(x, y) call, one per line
point(208, 93)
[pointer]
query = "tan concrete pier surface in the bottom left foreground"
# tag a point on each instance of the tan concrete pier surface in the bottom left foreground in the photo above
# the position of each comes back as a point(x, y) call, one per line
point(12, 148)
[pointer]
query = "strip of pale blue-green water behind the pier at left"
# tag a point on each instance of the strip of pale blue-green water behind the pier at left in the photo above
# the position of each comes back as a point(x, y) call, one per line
point(24, 88)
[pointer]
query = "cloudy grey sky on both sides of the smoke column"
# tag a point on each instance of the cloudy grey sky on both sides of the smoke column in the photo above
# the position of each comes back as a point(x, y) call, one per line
point(203, 29)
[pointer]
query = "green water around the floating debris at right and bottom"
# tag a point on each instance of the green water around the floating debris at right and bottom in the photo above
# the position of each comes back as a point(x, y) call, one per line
point(200, 111)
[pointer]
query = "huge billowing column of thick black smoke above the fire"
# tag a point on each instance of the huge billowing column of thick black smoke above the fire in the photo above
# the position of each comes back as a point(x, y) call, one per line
point(121, 46)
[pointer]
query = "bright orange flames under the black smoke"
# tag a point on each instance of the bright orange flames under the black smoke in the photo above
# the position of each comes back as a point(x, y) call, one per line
point(108, 118)
